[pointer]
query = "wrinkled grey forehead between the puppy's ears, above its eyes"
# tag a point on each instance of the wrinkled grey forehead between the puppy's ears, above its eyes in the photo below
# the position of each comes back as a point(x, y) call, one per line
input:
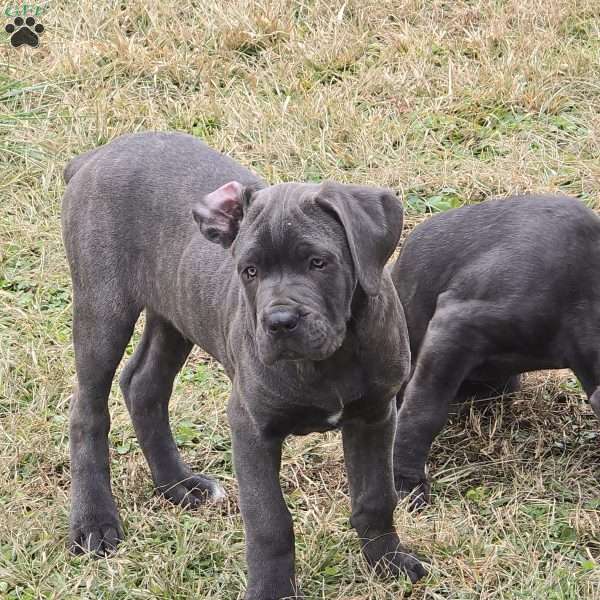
point(286, 215)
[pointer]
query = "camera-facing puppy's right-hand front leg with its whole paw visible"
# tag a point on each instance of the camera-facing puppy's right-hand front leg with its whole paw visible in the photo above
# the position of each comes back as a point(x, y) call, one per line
point(368, 456)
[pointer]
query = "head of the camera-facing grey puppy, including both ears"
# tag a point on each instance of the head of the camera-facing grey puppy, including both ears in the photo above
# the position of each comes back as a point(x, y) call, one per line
point(301, 250)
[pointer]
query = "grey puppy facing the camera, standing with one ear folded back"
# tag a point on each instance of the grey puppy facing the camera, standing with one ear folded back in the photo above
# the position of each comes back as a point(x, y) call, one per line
point(300, 311)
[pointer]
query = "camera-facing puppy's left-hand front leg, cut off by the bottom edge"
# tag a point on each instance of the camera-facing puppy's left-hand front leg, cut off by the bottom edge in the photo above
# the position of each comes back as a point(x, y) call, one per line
point(267, 521)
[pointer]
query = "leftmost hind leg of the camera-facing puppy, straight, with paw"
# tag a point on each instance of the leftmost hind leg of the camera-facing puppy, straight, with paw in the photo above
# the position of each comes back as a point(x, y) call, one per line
point(101, 332)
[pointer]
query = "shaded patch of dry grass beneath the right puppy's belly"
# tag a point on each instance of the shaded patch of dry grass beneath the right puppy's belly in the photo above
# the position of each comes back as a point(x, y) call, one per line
point(493, 440)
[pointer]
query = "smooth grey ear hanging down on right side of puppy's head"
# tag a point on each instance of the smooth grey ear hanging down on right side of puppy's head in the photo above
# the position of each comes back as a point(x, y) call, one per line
point(372, 218)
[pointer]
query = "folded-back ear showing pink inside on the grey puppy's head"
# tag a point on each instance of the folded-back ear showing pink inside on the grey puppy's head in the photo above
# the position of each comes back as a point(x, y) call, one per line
point(219, 213)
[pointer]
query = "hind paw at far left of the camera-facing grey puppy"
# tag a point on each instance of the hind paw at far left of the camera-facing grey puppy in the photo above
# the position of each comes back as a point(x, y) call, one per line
point(97, 535)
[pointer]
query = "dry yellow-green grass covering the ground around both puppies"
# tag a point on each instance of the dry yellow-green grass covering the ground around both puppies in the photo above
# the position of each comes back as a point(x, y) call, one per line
point(447, 102)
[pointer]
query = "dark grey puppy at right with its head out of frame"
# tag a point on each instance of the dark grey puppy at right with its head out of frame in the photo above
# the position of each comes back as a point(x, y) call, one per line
point(491, 291)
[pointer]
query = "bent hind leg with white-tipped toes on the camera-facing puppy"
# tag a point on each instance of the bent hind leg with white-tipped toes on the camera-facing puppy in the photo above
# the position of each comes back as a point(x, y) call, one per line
point(147, 383)
